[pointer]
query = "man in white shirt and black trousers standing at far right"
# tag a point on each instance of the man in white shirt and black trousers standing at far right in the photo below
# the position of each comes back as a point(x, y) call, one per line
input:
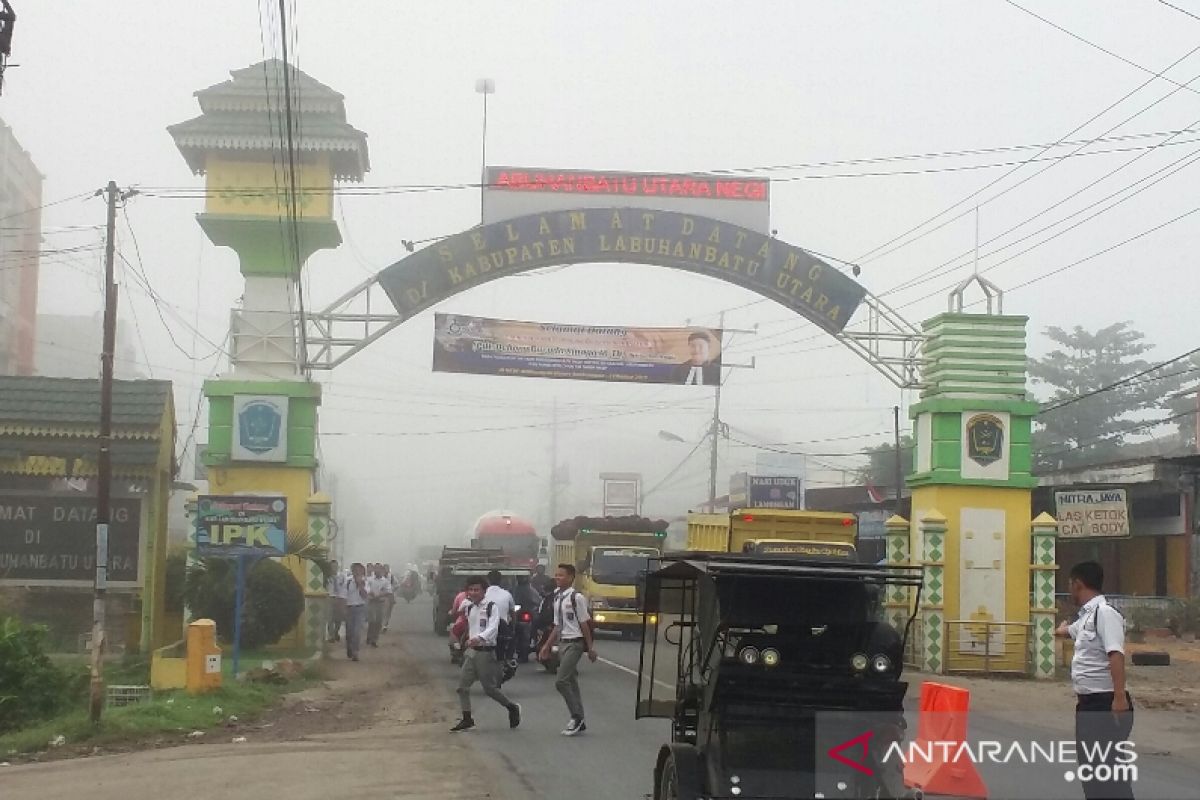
point(1103, 708)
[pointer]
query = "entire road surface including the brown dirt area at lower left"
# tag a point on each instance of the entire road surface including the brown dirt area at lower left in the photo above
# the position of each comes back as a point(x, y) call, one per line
point(406, 751)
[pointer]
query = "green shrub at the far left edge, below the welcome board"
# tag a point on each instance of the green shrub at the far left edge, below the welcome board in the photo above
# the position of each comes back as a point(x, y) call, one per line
point(32, 688)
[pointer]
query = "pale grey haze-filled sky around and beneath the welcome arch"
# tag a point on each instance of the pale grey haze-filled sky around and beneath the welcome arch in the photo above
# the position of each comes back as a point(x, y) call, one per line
point(670, 86)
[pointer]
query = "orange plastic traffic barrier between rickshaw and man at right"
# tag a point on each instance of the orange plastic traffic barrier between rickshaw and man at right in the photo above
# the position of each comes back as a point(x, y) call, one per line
point(944, 719)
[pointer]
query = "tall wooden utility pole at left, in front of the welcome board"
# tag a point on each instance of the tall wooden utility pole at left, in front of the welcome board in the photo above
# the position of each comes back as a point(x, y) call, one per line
point(105, 464)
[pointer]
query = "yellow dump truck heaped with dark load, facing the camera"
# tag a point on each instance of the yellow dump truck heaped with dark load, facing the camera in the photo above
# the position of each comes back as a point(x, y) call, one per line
point(610, 556)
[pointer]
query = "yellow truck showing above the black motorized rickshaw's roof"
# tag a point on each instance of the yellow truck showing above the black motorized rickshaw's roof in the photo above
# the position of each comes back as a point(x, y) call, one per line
point(823, 536)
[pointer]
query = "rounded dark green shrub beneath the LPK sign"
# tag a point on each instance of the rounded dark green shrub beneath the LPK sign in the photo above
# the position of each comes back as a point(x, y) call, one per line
point(273, 605)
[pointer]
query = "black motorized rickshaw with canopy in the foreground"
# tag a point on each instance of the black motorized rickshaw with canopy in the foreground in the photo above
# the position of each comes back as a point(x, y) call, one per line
point(775, 664)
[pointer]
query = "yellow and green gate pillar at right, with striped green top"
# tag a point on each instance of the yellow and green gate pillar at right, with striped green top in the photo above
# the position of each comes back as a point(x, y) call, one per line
point(971, 489)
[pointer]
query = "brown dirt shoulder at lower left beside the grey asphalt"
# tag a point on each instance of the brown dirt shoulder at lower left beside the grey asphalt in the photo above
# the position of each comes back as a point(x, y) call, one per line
point(377, 725)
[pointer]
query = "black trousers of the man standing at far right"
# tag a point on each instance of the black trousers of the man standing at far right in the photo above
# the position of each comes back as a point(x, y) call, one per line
point(1097, 732)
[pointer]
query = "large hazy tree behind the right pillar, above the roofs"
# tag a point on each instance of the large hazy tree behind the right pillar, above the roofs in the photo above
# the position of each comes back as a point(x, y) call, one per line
point(1088, 419)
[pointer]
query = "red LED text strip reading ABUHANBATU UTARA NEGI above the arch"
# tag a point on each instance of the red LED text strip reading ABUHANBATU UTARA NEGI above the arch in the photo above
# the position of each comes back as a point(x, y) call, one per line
point(631, 184)
